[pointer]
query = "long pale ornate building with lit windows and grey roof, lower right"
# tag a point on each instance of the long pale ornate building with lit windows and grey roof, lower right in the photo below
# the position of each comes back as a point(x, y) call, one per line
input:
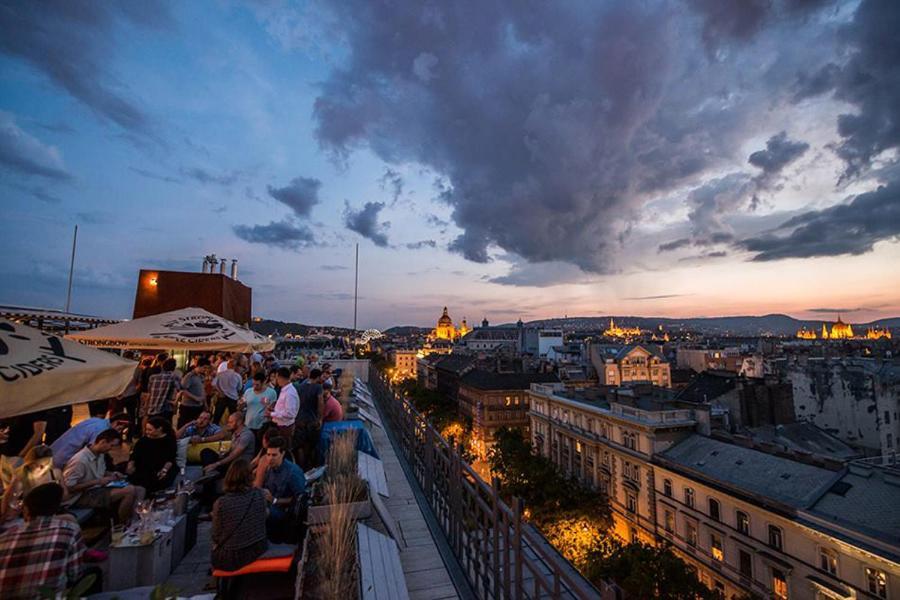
point(750, 523)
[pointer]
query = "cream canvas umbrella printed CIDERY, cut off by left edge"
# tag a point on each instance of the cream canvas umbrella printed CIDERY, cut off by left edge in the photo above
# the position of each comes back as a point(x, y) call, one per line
point(40, 371)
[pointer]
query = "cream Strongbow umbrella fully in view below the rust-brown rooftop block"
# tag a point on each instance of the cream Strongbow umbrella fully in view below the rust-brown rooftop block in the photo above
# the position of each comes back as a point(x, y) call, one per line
point(185, 329)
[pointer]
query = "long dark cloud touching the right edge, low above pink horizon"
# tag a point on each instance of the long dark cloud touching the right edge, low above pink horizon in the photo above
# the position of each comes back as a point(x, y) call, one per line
point(849, 228)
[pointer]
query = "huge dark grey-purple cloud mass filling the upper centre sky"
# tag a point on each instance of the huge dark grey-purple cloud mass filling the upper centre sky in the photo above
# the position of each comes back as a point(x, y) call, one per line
point(549, 126)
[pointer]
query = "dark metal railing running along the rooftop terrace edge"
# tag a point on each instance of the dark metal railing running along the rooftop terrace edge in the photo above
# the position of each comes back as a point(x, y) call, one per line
point(500, 554)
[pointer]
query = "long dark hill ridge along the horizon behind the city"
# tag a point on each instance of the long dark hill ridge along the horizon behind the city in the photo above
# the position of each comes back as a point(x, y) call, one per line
point(774, 324)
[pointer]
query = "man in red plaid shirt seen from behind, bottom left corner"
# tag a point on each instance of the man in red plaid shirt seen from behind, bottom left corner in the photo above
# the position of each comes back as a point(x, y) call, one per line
point(42, 557)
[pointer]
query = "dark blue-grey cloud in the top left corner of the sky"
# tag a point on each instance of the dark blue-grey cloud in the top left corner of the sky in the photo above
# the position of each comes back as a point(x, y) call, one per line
point(71, 42)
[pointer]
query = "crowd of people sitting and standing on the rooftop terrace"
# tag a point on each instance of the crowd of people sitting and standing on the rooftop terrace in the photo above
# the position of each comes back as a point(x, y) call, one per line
point(134, 446)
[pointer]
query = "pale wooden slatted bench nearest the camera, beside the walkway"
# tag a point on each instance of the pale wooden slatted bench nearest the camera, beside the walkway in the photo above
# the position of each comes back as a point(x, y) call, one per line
point(380, 572)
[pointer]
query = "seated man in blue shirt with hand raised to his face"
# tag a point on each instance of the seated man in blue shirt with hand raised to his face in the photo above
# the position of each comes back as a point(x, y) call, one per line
point(282, 483)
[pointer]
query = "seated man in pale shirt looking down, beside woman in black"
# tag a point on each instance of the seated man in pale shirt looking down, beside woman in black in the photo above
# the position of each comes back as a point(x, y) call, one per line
point(86, 478)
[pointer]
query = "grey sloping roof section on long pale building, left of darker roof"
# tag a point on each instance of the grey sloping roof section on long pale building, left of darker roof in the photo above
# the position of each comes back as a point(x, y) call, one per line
point(756, 473)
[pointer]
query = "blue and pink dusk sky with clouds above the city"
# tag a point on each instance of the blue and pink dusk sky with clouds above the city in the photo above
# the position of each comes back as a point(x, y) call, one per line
point(507, 159)
